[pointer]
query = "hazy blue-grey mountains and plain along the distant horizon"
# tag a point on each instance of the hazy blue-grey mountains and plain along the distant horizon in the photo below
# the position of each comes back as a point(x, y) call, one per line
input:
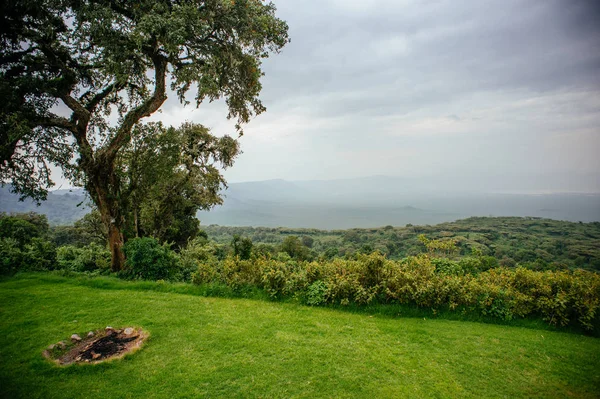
point(344, 203)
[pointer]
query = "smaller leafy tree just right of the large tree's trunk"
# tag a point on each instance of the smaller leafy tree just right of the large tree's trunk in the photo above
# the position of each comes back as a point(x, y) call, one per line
point(168, 175)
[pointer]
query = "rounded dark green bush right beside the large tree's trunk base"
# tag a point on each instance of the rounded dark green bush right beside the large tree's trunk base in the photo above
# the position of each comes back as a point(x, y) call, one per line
point(149, 260)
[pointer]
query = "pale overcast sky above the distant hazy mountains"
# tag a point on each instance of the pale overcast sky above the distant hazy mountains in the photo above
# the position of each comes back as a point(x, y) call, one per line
point(503, 91)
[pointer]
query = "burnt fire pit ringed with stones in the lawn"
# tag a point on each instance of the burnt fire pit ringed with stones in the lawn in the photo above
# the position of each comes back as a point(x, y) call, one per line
point(97, 347)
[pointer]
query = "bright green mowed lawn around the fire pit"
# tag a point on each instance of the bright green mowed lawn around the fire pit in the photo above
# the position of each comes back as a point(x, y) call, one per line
point(216, 347)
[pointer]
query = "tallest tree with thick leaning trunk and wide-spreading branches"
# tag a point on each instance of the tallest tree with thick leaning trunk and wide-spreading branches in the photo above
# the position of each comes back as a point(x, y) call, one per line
point(76, 76)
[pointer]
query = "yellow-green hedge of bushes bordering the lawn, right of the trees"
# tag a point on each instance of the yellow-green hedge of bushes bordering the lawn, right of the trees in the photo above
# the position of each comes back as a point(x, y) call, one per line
point(559, 297)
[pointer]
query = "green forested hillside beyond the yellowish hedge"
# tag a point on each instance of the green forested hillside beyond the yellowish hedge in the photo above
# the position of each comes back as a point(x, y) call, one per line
point(531, 242)
